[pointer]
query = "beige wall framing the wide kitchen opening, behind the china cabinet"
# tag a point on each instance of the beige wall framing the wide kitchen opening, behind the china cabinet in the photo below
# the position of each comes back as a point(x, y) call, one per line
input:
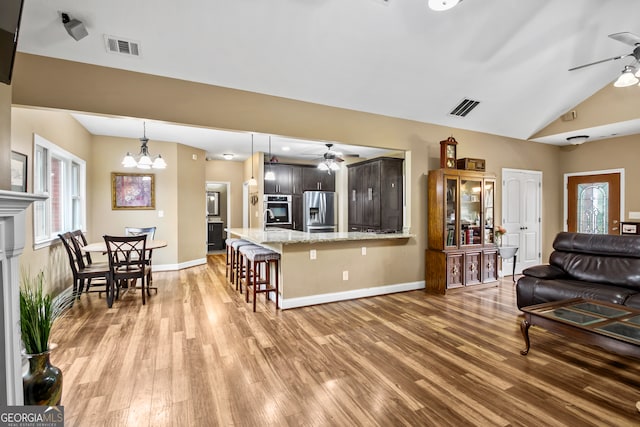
point(72, 86)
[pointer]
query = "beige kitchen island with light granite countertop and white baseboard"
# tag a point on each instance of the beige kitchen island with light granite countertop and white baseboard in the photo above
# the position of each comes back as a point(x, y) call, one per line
point(317, 268)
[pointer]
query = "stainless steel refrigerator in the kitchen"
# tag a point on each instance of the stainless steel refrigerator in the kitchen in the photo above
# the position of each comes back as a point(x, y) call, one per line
point(319, 212)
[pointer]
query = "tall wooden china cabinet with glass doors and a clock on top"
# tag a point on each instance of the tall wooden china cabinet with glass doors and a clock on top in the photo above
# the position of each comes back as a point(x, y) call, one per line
point(461, 250)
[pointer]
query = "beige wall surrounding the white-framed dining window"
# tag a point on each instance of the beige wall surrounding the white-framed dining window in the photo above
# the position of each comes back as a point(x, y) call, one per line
point(62, 130)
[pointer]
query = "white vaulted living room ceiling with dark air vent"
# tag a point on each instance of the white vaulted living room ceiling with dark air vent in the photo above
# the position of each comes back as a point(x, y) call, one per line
point(391, 57)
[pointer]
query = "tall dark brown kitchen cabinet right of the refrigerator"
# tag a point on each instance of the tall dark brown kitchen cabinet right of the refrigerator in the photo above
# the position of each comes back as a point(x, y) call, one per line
point(375, 195)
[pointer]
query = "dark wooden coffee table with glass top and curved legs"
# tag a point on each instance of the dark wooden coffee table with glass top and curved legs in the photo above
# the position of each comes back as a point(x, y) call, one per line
point(614, 327)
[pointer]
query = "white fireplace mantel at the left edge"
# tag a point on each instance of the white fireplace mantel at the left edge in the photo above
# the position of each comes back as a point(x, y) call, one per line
point(12, 241)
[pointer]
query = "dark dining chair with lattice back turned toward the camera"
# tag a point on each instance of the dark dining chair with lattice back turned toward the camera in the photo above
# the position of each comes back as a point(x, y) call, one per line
point(128, 262)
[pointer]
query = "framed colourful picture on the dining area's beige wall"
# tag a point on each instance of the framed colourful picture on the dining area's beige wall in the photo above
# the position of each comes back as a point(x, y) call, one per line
point(132, 191)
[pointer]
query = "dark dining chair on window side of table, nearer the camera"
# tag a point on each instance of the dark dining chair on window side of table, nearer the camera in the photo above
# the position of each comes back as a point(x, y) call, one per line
point(83, 273)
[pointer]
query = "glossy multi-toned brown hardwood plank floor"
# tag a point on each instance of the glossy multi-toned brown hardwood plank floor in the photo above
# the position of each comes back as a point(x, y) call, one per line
point(196, 355)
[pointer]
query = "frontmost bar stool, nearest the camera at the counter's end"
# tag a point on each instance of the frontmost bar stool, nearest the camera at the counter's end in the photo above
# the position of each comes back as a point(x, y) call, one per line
point(257, 258)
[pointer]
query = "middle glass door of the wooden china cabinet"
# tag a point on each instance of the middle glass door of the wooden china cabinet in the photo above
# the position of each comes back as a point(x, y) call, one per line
point(470, 212)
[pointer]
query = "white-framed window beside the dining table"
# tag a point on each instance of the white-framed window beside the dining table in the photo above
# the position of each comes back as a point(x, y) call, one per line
point(61, 176)
